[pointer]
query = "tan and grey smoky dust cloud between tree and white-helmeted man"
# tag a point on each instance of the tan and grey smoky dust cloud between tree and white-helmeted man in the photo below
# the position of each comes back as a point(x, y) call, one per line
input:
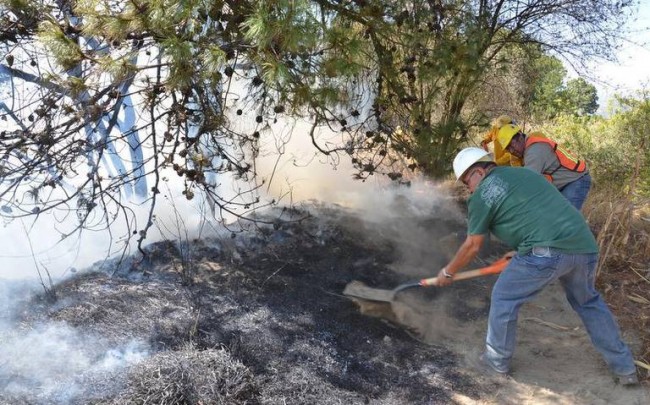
point(422, 219)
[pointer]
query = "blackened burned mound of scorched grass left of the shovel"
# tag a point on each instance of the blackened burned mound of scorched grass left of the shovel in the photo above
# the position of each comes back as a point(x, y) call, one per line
point(258, 318)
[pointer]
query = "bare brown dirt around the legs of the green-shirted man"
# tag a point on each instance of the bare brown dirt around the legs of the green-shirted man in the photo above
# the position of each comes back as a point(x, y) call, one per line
point(554, 363)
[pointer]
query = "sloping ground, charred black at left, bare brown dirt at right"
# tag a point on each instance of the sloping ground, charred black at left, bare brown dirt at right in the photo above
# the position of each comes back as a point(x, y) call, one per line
point(260, 319)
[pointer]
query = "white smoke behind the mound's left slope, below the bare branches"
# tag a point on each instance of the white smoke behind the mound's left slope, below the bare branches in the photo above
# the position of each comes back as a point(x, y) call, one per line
point(30, 247)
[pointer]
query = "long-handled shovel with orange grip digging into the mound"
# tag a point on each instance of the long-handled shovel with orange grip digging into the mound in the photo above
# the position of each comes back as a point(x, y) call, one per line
point(357, 289)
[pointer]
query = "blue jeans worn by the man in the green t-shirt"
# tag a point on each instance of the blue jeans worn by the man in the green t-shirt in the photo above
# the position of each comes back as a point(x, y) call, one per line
point(526, 276)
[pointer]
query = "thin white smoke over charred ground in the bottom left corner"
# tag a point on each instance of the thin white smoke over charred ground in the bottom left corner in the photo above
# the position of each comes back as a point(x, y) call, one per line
point(56, 362)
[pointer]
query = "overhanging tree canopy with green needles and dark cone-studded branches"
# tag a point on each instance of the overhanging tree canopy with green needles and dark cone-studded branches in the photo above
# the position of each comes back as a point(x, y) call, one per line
point(119, 91)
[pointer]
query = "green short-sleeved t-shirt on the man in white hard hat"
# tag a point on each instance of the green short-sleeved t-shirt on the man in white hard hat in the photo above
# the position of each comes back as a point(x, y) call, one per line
point(521, 208)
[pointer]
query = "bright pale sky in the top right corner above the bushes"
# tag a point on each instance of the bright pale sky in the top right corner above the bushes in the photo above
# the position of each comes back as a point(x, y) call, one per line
point(632, 70)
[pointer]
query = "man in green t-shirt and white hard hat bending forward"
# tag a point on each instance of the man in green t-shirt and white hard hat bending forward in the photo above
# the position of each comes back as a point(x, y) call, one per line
point(552, 242)
